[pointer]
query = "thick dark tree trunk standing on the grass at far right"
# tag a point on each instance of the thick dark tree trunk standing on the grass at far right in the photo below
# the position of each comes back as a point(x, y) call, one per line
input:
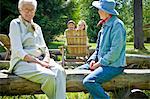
point(138, 28)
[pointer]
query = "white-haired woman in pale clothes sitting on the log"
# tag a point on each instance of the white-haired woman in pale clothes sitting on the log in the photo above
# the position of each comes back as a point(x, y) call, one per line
point(30, 57)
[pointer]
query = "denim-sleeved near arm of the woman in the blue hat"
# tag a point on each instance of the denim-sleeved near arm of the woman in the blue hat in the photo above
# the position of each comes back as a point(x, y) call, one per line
point(118, 42)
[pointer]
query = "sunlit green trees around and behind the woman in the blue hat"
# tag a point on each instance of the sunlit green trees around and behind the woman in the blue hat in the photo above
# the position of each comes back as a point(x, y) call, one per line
point(85, 11)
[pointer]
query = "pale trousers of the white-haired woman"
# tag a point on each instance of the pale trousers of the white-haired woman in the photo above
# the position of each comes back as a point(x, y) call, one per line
point(53, 80)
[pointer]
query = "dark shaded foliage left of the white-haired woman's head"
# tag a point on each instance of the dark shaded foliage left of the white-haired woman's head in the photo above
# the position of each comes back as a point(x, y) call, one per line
point(8, 12)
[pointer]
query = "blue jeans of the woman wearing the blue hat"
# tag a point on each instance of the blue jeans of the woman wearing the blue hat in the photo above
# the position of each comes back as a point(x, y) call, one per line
point(93, 81)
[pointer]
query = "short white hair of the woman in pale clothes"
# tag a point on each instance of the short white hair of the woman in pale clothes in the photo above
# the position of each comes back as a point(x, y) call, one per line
point(22, 2)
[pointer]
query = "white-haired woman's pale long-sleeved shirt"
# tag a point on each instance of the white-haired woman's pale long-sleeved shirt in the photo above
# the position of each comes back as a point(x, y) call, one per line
point(23, 41)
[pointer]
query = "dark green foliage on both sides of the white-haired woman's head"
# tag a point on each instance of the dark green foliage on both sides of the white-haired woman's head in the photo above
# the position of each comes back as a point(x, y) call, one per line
point(51, 16)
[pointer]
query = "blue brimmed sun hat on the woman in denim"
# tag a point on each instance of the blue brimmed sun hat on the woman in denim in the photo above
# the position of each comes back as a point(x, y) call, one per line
point(106, 5)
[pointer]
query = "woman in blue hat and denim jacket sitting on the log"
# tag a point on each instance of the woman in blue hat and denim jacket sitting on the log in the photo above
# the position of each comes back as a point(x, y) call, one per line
point(109, 59)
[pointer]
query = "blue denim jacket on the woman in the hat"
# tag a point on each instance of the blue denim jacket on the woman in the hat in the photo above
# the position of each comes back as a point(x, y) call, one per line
point(112, 44)
